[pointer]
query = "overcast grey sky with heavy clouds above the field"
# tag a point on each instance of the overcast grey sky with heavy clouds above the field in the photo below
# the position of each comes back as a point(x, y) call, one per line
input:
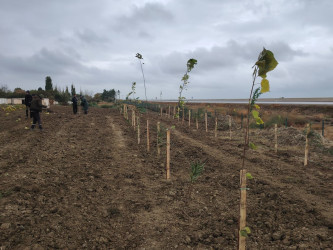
point(92, 44)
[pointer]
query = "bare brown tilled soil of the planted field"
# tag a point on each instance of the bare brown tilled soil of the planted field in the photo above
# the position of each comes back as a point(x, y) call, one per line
point(85, 183)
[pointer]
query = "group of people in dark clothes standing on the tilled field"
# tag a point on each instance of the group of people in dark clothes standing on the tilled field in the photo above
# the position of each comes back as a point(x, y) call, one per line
point(33, 103)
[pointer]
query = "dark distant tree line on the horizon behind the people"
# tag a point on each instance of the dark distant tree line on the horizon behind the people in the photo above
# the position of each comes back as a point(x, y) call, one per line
point(60, 95)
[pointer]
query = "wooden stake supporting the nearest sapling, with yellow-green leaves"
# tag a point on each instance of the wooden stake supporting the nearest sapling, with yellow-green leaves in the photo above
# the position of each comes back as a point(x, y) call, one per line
point(242, 210)
